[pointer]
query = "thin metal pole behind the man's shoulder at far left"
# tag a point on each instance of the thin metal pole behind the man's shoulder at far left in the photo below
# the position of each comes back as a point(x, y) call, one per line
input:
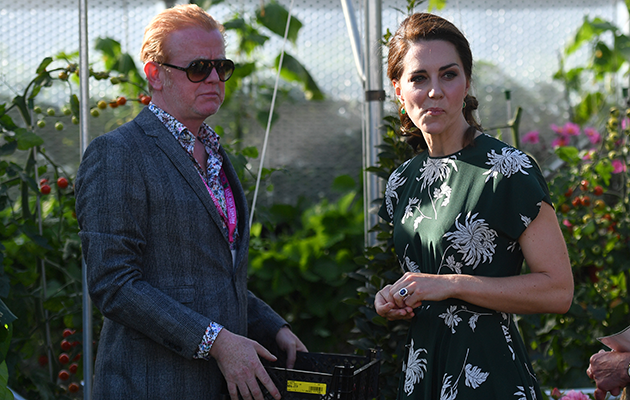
point(84, 78)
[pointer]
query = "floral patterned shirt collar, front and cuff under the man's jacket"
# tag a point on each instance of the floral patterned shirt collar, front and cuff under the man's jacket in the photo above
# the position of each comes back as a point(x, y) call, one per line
point(210, 175)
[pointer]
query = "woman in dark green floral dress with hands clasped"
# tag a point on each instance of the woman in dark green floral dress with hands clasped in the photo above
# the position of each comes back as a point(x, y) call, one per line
point(467, 210)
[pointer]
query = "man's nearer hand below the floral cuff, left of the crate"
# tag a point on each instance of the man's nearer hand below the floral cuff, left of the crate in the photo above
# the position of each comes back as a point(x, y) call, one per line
point(237, 357)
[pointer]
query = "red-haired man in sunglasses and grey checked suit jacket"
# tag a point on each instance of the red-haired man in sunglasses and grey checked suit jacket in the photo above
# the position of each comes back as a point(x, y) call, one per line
point(165, 236)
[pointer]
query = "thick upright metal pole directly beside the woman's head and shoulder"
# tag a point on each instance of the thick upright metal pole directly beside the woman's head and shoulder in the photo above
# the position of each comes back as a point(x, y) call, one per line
point(374, 97)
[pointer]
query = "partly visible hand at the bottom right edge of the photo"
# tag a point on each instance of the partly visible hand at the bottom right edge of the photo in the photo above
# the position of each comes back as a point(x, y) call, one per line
point(609, 370)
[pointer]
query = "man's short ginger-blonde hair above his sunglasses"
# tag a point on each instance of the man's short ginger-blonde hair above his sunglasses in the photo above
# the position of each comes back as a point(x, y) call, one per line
point(170, 20)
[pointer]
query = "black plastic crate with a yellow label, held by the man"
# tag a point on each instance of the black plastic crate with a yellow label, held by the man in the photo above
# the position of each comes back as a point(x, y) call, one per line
point(323, 376)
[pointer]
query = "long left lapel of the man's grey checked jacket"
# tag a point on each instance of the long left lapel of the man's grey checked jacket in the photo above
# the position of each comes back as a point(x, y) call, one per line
point(167, 143)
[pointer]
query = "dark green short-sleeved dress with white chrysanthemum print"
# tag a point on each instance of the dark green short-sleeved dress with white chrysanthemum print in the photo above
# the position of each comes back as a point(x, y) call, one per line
point(463, 214)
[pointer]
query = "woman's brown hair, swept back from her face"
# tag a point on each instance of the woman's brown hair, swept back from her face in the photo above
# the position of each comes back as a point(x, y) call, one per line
point(426, 26)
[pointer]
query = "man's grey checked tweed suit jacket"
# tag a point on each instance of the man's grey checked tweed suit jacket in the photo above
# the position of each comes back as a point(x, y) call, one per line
point(159, 265)
